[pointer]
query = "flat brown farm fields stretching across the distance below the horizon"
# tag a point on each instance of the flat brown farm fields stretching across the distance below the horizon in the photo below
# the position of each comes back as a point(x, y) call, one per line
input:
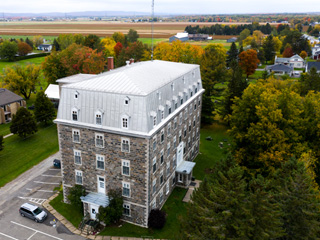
point(102, 29)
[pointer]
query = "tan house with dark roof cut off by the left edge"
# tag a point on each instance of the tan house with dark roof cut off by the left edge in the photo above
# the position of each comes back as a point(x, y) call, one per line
point(9, 104)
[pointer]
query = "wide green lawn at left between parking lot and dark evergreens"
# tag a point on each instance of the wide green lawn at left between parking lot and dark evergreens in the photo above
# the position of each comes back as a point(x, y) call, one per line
point(19, 155)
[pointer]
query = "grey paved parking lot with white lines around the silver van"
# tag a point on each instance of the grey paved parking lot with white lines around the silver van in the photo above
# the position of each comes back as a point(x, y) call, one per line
point(35, 191)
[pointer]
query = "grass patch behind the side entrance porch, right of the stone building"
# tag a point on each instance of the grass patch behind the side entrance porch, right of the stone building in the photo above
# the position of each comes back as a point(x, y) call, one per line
point(210, 152)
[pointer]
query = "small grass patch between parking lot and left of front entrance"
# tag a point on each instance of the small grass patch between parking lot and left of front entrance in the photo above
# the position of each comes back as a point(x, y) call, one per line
point(67, 210)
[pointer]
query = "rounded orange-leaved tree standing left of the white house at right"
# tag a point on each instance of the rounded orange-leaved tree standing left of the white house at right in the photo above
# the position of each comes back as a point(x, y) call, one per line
point(249, 61)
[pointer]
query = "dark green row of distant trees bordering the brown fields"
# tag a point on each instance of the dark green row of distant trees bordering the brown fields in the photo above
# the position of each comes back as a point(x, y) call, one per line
point(219, 29)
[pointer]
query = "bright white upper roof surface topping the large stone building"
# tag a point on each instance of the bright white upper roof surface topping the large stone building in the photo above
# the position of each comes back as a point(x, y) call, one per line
point(136, 79)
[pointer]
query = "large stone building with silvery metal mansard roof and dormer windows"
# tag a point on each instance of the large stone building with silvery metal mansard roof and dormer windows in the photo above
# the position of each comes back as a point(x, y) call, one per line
point(135, 128)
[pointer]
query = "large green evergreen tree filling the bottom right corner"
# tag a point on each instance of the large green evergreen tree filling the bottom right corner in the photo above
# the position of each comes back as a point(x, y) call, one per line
point(299, 199)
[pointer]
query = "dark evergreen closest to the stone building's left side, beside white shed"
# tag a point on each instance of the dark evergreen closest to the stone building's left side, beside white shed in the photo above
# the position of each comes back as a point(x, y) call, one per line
point(44, 109)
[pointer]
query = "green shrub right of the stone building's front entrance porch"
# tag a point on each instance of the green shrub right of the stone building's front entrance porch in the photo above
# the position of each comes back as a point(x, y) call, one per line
point(113, 212)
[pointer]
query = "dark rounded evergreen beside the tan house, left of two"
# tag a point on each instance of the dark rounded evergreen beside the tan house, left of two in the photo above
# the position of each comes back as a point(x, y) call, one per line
point(23, 123)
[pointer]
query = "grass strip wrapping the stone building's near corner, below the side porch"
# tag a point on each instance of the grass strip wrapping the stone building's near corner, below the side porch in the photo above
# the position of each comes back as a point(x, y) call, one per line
point(174, 207)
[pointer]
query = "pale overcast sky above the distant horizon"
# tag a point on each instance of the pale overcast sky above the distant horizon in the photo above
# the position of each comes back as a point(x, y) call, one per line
point(162, 6)
